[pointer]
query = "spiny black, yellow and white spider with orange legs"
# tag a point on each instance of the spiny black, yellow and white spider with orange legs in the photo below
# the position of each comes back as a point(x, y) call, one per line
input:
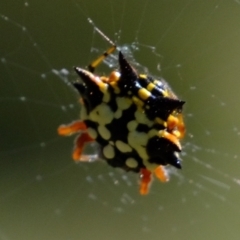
point(135, 119)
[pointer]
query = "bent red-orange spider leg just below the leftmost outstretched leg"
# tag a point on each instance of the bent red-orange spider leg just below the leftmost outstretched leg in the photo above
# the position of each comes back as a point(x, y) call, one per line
point(79, 145)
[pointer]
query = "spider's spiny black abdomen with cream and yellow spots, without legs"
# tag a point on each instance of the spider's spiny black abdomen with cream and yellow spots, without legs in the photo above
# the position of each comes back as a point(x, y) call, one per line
point(128, 117)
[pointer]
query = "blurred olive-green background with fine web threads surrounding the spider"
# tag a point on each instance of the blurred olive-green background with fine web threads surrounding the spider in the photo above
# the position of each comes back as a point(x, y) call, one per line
point(194, 45)
